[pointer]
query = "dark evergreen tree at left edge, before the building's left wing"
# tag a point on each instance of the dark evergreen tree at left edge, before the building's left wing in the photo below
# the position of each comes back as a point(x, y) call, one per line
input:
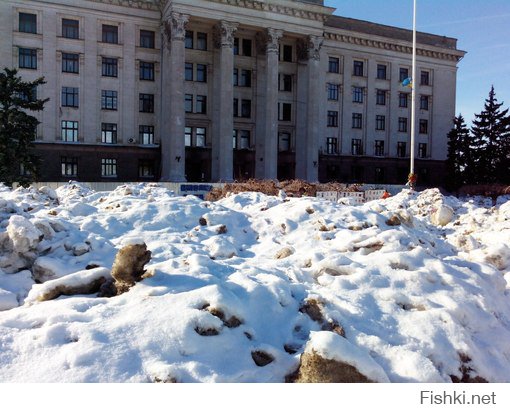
point(18, 128)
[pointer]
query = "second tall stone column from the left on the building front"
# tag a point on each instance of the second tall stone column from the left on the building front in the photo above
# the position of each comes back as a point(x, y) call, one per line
point(222, 165)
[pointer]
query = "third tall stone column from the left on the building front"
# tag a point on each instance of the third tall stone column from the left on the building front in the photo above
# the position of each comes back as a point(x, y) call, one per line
point(267, 109)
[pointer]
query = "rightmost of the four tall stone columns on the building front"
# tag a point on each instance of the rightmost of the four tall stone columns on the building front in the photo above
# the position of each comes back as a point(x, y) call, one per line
point(308, 124)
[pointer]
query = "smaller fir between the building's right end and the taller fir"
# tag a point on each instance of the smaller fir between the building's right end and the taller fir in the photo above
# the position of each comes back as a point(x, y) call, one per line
point(459, 162)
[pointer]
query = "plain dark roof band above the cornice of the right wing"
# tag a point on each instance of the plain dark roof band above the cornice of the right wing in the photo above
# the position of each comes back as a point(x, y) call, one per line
point(365, 27)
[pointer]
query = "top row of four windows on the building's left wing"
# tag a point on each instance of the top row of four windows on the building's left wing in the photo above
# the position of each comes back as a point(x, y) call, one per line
point(71, 30)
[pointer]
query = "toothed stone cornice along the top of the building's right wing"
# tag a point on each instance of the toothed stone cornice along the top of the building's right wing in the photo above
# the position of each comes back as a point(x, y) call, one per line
point(436, 53)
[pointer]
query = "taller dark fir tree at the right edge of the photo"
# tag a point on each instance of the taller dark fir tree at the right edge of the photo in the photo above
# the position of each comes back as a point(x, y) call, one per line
point(490, 130)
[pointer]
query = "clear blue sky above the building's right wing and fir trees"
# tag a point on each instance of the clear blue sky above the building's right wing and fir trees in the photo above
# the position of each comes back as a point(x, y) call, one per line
point(481, 27)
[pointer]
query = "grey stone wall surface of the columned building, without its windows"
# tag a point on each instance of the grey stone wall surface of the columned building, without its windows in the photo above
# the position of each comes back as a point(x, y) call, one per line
point(308, 155)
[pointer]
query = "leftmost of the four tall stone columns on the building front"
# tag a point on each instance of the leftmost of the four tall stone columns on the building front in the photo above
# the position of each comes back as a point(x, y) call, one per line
point(172, 98)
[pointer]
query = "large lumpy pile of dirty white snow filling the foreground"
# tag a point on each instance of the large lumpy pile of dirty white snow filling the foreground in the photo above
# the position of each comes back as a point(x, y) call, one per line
point(411, 289)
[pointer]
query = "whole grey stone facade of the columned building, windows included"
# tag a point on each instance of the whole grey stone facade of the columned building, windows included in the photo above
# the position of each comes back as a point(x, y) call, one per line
point(217, 90)
